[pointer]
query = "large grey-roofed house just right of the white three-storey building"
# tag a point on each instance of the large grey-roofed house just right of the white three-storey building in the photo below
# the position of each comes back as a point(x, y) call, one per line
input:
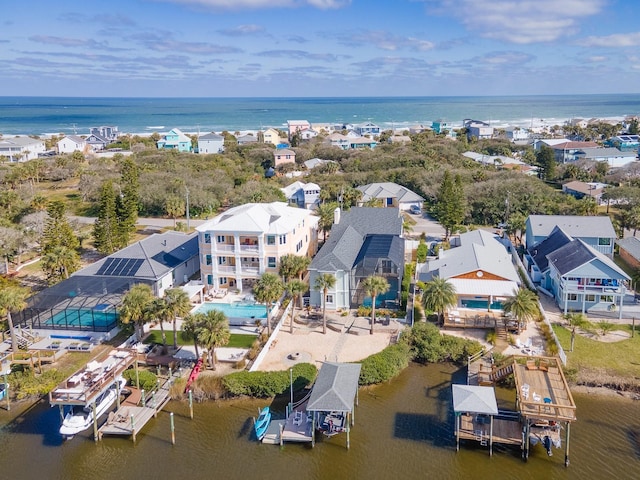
point(363, 242)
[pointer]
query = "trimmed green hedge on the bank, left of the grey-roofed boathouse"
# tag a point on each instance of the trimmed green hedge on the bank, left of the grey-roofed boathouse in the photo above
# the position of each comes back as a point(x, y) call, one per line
point(269, 384)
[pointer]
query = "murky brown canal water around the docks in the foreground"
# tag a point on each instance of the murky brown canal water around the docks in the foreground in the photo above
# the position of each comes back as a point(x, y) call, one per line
point(404, 429)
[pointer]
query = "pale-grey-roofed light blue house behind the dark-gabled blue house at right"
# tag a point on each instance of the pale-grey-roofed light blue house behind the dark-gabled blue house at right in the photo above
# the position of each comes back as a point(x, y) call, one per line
point(595, 231)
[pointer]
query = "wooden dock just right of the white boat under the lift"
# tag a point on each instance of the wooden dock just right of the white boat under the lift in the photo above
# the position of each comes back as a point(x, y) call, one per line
point(131, 417)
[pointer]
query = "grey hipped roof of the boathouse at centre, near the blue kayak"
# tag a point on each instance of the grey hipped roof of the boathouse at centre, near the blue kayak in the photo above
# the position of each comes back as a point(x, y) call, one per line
point(335, 388)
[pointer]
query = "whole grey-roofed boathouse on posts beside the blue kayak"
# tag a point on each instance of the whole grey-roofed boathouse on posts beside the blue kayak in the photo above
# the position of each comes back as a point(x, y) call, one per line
point(333, 397)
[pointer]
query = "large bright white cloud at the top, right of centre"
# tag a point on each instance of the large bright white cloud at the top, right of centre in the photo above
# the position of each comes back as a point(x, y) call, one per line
point(523, 22)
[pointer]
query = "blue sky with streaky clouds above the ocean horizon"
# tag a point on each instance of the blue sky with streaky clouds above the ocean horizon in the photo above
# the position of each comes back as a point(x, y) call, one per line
point(305, 48)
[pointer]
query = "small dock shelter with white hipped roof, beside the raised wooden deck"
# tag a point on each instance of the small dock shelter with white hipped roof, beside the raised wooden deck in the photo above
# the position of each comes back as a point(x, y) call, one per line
point(474, 407)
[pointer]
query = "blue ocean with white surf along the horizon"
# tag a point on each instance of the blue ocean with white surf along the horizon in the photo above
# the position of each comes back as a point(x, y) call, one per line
point(69, 115)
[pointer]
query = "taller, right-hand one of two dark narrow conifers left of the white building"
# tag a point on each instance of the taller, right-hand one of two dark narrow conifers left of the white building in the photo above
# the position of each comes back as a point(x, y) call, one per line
point(127, 203)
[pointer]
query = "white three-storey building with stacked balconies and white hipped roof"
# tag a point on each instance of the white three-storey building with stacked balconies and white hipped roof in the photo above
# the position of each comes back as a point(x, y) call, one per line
point(241, 244)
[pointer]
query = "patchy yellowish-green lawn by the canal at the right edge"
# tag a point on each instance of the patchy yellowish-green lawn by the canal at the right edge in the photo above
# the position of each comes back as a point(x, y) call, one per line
point(619, 358)
